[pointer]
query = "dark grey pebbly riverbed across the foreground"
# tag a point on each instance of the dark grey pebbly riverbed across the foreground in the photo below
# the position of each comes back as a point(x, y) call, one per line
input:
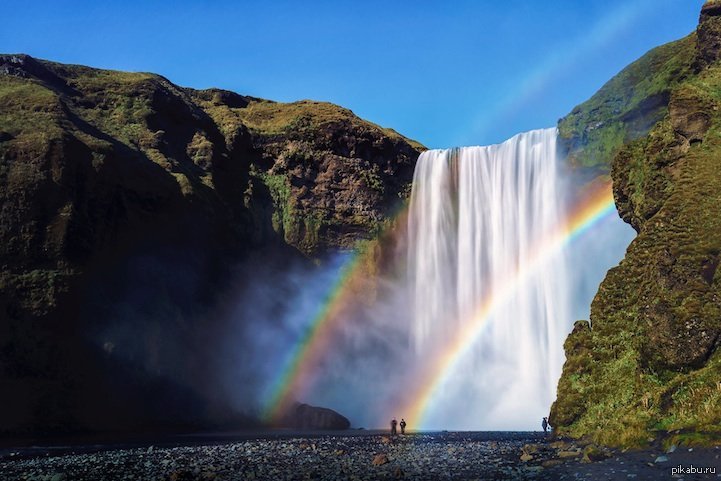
point(361, 456)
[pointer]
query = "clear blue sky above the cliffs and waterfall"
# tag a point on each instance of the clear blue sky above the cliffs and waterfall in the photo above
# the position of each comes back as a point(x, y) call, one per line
point(445, 73)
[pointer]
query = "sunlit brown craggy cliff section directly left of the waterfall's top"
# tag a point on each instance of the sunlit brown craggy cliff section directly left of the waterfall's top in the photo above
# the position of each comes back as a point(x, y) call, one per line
point(332, 177)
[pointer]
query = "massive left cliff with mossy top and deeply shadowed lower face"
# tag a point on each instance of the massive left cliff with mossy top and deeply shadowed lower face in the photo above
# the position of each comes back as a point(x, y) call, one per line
point(127, 204)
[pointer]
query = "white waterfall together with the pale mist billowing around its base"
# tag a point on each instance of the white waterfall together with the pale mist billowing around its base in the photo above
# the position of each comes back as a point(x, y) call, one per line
point(471, 337)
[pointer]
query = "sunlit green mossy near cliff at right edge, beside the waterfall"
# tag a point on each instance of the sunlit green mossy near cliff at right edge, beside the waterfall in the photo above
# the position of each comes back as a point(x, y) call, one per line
point(649, 365)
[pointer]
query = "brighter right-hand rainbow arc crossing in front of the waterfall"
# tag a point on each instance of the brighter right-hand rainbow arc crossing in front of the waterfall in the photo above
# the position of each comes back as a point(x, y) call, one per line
point(595, 206)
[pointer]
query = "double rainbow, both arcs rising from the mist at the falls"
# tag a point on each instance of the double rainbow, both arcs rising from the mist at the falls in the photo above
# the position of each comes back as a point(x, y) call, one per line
point(596, 204)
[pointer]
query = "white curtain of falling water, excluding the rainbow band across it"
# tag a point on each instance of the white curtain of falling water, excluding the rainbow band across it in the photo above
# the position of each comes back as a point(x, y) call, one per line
point(477, 217)
